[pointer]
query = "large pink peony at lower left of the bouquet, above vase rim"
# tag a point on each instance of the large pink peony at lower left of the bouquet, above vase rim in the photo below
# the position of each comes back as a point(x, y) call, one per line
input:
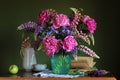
point(51, 45)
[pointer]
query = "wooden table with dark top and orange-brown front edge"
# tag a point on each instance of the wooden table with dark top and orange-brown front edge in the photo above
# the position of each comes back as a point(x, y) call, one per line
point(28, 76)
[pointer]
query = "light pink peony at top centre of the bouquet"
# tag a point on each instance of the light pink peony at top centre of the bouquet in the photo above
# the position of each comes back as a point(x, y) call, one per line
point(60, 20)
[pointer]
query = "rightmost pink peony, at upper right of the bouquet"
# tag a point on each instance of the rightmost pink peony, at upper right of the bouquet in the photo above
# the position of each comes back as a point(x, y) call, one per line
point(91, 24)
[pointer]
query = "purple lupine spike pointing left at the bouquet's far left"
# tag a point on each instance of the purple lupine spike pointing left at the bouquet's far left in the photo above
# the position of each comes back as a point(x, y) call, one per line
point(29, 26)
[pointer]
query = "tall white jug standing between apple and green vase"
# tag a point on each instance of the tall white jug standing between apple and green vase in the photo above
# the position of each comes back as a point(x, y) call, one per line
point(29, 59)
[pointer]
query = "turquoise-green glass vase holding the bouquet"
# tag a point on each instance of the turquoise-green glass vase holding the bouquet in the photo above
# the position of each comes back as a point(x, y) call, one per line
point(60, 63)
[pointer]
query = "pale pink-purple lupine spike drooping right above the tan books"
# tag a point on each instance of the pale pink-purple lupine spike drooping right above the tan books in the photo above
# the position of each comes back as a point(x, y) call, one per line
point(88, 51)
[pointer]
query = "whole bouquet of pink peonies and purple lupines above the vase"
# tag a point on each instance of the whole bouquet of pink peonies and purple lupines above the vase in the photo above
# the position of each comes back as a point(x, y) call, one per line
point(56, 32)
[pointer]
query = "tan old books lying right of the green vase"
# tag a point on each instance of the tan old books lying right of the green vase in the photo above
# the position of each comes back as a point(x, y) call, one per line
point(83, 63)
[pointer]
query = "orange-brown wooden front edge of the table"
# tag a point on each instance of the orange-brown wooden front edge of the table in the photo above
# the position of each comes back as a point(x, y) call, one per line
point(81, 78)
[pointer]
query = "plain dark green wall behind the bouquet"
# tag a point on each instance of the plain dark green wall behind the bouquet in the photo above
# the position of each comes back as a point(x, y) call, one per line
point(15, 12)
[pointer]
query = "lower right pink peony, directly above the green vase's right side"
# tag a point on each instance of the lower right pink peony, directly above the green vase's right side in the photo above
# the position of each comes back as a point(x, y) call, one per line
point(69, 43)
